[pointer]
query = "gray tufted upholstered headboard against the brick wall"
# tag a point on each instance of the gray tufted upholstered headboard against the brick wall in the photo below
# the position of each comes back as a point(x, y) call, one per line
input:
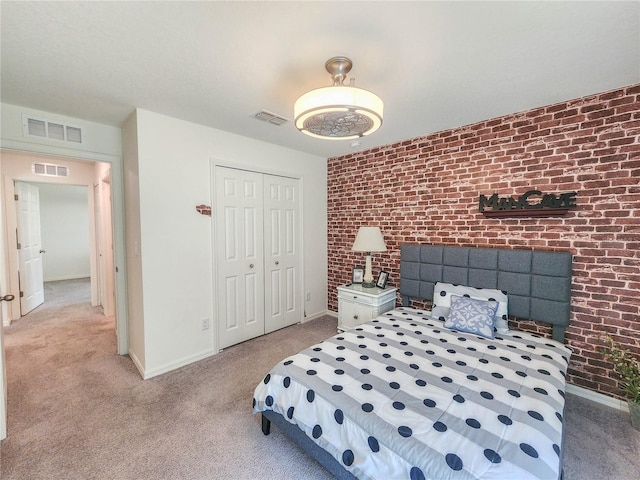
point(538, 283)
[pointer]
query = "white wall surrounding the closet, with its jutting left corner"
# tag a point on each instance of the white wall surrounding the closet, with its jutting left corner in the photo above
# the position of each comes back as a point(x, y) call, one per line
point(170, 257)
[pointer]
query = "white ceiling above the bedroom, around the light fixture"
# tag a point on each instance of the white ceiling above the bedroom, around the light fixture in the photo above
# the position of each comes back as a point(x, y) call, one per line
point(436, 65)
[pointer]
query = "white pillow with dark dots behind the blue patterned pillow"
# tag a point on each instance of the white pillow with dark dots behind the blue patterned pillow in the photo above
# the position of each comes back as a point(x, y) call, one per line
point(442, 293)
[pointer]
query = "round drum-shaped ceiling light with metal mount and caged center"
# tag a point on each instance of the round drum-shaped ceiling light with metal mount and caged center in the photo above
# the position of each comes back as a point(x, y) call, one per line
point(339, 112)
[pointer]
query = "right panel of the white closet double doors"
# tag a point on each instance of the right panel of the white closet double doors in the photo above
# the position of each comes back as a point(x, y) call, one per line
point(282, 238)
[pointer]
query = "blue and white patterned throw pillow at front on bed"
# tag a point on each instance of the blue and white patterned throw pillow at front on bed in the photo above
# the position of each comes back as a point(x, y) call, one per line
point(472, 316)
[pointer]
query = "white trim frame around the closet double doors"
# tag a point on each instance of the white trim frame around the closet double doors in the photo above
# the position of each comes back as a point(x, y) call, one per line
point(213, 164)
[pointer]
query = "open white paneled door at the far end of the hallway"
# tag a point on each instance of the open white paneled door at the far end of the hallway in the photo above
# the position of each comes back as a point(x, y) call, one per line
point(29, 247)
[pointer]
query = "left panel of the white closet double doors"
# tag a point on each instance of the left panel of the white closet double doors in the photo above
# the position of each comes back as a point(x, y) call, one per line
point(240, 255)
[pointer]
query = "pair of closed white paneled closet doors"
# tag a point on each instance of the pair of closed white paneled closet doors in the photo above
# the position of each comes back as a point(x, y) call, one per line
point(259, 264)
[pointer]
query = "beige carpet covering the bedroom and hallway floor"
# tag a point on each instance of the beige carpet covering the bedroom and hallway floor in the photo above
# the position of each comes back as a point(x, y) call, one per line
point(77, 410)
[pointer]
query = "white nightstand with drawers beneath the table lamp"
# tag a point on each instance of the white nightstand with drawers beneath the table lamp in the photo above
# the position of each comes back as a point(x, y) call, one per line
point(357, 304)
